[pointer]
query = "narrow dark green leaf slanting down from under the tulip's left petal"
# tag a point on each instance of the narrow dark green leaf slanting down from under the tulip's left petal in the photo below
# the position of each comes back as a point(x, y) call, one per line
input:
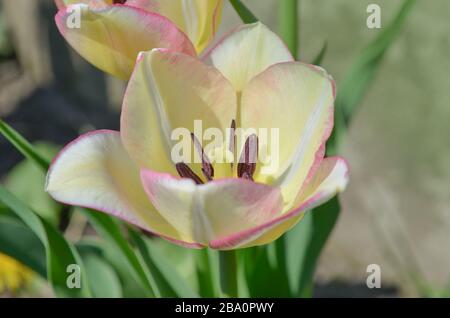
point(110, 230)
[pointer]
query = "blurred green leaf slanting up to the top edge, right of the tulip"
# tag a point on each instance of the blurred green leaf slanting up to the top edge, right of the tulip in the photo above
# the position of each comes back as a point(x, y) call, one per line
point(362, 72)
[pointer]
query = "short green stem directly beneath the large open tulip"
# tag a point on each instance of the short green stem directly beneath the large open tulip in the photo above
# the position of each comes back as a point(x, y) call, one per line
point(228, 273)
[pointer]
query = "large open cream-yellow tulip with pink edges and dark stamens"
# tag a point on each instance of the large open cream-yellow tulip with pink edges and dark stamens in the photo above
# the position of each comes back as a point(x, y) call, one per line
point(253, 82)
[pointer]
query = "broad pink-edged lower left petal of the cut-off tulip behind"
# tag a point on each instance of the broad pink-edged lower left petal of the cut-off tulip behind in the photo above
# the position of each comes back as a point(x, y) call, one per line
point(111, 38)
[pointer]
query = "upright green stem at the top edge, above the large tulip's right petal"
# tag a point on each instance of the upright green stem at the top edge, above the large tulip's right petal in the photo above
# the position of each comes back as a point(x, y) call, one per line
point(288, 23)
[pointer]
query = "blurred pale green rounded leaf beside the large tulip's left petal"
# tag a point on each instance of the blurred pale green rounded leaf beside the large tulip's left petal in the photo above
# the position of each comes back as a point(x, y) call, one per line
point(27, 182)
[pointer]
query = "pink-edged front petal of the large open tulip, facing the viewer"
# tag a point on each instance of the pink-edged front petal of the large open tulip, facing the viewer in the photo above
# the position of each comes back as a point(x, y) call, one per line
point(212, 211)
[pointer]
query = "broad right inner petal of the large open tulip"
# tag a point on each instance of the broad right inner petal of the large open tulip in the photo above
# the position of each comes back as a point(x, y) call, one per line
point(297, 100)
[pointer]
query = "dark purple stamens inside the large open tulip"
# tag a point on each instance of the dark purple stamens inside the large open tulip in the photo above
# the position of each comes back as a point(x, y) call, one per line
point(245, 168)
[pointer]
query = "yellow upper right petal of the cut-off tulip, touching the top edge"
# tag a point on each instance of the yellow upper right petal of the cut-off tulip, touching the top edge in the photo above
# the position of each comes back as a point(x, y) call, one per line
point(199, 19)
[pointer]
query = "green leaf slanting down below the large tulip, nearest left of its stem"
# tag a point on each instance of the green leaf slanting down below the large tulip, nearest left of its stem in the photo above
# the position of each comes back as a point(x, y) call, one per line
point(169, 282)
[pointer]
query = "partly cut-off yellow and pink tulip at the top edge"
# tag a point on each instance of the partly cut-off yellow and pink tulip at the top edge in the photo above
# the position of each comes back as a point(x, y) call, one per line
point(111, 33)
